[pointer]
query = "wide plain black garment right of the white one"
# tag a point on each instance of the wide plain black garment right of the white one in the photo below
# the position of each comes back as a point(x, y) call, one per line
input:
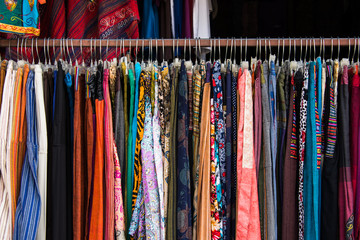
point(59, 212)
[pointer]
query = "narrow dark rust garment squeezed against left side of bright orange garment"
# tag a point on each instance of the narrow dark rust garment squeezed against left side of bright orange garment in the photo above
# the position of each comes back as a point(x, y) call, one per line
point(89, 141)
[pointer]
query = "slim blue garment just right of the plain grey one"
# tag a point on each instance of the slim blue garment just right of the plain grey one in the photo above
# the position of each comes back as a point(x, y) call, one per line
point(273, 134)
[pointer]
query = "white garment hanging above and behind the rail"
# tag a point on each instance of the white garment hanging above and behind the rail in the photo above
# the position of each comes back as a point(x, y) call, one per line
point(201, 18)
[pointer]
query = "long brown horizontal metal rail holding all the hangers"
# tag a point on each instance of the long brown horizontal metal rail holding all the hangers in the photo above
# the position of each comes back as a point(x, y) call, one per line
point(251, 42)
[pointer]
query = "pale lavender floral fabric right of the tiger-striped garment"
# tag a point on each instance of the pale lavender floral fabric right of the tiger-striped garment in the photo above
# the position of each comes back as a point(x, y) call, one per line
point(149, 178)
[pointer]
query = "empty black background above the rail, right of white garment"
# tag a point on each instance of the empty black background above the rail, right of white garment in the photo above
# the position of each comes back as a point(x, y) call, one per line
point(286, 18)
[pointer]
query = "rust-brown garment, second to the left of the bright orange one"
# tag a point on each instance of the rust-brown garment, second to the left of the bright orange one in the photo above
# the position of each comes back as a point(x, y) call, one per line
point(79, 162)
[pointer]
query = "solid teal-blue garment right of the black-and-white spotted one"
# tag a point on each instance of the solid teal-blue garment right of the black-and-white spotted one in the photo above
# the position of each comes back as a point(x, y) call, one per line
point(311, 228)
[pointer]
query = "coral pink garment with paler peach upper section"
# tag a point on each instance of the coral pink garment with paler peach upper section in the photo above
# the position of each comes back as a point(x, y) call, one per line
point(248, 219)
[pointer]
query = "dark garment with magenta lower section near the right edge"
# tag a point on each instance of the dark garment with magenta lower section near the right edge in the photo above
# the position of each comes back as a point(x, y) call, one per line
point(346, 198)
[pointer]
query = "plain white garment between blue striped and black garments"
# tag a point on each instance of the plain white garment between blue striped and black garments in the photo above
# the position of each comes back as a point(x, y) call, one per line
point(42, 149)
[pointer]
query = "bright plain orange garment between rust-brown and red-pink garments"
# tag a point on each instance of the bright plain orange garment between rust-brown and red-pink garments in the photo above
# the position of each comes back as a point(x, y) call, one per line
point(96, 230)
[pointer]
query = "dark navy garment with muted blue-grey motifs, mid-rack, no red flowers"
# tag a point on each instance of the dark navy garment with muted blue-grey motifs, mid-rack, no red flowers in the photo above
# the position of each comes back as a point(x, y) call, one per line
point(183, 203)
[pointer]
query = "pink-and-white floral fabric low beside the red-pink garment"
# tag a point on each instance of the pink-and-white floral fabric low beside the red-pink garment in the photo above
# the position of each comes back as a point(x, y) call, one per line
point(119, 208)
